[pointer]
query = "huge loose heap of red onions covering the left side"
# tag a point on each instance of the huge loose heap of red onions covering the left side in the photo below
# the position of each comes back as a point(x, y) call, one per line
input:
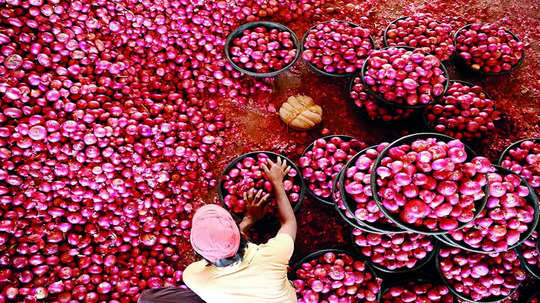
point(106, 143)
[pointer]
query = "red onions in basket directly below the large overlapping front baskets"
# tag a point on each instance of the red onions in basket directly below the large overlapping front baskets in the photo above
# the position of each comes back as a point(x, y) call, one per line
point(394, 252)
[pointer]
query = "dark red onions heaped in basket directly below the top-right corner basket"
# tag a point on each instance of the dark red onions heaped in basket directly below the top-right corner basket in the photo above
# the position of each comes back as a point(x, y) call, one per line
point(464, 112)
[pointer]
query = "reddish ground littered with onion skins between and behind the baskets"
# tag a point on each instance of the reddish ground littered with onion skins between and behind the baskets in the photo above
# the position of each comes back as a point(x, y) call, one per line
point(259, 128)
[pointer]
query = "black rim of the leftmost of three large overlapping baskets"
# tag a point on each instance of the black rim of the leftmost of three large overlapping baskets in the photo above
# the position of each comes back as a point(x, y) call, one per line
point(347, 200)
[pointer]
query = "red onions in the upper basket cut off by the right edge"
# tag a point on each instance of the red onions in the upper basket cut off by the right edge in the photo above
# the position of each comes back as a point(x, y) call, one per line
point(524, 159)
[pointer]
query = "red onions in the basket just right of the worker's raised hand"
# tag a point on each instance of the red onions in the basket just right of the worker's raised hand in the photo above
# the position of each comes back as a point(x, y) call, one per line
point(323, 161)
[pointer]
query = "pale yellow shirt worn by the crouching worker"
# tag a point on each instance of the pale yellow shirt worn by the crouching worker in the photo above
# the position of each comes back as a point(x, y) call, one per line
point(261, 276)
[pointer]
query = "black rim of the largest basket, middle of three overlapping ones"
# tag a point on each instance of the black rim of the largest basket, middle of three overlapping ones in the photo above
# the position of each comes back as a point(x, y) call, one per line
point(479, 204)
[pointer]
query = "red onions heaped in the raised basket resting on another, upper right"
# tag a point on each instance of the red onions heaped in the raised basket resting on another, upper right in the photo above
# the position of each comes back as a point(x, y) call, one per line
point(405, 77)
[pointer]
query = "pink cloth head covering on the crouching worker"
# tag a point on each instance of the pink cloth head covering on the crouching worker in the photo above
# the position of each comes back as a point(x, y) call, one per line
point(214, 234)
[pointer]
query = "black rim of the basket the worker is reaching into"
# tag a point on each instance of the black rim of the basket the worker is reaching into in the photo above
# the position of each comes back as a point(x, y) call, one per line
point(273, 156)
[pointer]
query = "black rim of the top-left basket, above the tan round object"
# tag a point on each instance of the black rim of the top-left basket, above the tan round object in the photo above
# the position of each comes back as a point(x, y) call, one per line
point(269, 25)
